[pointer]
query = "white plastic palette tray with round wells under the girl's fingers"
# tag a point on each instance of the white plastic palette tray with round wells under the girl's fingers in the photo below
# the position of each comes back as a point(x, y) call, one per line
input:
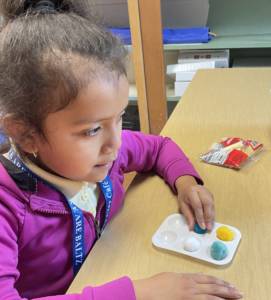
point(174, 233)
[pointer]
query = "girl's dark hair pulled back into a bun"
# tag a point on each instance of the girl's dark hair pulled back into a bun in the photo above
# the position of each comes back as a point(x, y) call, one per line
point(48, 53)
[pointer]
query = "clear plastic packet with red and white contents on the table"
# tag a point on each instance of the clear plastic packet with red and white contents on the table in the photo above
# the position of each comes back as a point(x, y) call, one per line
point(232, 152)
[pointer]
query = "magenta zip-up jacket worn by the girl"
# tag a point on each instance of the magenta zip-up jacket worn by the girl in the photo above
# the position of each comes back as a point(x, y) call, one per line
point(36, 225)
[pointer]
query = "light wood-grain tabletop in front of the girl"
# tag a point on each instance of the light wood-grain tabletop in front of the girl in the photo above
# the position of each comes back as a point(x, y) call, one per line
point(219, 103)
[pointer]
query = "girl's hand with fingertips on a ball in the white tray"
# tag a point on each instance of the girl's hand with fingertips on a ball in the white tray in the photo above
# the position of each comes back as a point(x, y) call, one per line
point(195, 202)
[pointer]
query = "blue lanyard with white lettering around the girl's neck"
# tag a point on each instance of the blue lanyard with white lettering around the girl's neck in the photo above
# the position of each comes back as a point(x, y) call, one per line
point(78, 245)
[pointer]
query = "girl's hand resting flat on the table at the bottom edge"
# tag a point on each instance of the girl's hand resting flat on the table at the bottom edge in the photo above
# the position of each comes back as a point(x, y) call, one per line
point(177, 286)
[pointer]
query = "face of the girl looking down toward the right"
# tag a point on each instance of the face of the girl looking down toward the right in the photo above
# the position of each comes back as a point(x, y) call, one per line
point(83, 139)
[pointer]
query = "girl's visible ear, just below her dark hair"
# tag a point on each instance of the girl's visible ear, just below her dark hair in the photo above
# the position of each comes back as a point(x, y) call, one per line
point(20, 133)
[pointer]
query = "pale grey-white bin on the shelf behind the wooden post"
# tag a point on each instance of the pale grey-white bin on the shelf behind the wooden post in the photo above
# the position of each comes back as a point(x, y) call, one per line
point(175, 13)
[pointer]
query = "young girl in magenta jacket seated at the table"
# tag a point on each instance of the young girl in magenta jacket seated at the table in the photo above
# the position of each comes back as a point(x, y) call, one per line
point(63, 92)
